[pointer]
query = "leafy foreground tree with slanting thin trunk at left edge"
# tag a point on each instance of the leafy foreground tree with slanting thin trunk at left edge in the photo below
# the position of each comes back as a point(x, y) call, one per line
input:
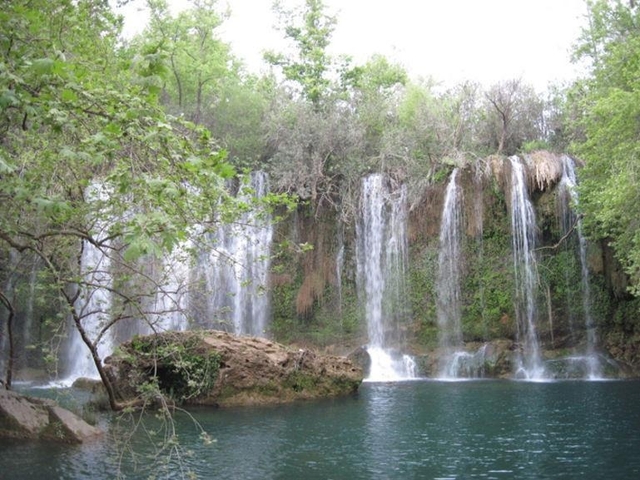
point(76, 118)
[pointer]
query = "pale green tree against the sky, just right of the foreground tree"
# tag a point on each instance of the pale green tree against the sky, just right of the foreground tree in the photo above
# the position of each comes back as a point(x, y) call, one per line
point(203, 81)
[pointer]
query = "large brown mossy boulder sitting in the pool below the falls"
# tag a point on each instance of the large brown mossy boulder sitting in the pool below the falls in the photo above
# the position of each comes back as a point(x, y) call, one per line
point(216, 368)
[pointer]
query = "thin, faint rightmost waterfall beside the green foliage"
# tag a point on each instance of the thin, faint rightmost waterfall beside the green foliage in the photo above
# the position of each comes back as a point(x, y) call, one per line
point(568, 193)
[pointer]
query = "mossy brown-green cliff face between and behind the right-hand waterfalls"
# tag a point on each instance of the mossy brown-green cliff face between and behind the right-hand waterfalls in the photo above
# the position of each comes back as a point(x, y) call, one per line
point(315, 293)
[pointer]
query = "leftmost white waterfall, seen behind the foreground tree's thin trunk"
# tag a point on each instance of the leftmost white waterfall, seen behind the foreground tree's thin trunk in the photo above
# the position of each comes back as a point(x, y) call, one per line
point(94, 301)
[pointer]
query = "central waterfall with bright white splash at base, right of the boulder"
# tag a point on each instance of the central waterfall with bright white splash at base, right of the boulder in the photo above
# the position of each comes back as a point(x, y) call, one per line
point(381, 248)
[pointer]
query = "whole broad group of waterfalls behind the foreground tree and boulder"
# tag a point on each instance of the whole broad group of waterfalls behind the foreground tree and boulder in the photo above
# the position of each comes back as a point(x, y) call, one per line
point(235, 277)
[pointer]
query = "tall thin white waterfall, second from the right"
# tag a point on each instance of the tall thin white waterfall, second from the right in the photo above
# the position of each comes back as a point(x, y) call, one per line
point(523, 225)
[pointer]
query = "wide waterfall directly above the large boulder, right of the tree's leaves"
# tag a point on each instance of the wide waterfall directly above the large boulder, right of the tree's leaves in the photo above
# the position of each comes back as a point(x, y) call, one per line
point(237, 268)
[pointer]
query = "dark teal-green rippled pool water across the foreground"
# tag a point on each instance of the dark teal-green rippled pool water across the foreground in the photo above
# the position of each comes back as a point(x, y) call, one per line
point(421, 430)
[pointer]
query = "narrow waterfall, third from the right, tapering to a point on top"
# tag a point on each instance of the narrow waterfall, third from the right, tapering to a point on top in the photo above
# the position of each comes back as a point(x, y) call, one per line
point(448, 293)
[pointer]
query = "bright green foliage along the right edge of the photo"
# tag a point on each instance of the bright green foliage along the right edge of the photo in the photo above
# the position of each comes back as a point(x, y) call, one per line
point(604, 110)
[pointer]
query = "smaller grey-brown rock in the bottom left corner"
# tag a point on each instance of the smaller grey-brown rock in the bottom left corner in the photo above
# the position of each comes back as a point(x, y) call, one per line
point(41, 419)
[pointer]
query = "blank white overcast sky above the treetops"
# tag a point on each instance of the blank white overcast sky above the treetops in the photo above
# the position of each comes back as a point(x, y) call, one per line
point(449, 40)
